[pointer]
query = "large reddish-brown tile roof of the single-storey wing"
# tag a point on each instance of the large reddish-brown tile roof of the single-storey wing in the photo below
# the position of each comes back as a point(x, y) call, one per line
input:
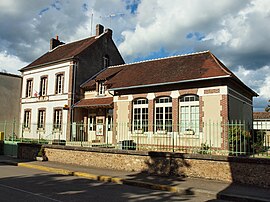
point(190, 67)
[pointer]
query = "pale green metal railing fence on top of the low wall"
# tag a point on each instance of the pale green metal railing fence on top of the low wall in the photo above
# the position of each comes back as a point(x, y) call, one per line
point(213, 138)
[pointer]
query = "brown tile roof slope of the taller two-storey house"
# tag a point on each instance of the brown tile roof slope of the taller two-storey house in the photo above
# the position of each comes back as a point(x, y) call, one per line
point(62, 52)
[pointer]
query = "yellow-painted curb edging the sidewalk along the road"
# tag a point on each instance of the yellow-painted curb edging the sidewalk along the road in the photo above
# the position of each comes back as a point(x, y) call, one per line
point(148, 185)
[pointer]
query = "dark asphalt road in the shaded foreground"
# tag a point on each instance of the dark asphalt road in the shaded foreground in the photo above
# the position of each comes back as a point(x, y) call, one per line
point(23, 184)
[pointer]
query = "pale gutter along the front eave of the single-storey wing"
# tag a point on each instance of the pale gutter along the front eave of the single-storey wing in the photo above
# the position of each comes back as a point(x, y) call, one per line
point(168, 83)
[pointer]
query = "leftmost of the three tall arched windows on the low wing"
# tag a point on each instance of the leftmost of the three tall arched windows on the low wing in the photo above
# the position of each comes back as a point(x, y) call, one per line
point(140, 115)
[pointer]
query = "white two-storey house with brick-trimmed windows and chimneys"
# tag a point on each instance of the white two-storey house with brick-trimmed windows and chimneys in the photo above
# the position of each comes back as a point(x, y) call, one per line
point(51, 83)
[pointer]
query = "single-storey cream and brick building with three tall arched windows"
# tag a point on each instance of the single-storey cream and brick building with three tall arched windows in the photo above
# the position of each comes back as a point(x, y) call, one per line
point(181, 100)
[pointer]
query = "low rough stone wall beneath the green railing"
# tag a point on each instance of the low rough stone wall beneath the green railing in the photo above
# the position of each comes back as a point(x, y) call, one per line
point(231, 169)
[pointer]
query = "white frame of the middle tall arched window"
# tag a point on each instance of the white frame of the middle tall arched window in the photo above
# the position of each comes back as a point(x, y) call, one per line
point(165, 127)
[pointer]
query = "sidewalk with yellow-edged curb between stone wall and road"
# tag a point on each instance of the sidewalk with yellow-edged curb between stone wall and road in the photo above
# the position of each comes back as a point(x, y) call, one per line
point(222, 190)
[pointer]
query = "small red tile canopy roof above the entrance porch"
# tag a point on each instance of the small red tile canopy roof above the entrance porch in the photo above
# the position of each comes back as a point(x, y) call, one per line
point(106, 102)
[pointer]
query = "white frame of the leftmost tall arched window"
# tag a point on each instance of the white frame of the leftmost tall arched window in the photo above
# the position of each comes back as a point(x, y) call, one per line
point(141, 128)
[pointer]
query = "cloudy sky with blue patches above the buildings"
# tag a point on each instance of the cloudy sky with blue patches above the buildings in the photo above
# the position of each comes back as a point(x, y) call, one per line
point(235, 31)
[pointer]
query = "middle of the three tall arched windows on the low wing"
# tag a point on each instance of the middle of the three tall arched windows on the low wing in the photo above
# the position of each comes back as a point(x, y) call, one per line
point(163, 115)
